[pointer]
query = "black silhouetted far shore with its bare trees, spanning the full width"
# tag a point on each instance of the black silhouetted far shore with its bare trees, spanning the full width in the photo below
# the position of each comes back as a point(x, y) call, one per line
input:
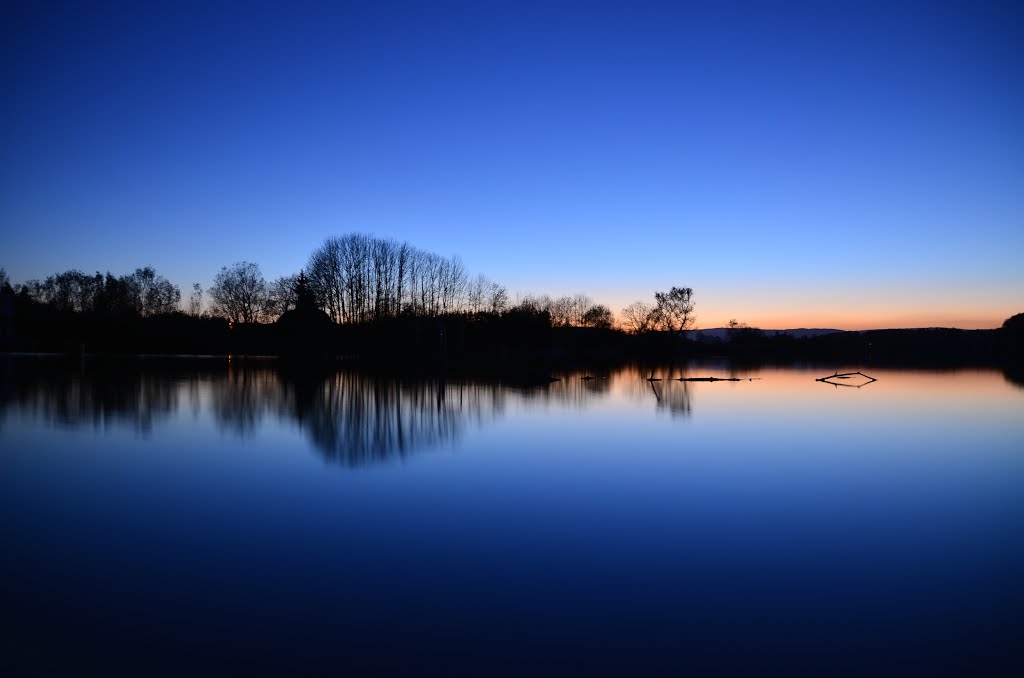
point(376, 300)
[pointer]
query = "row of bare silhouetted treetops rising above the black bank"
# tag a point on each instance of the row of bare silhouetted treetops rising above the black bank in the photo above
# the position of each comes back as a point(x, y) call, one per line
point(354, 279)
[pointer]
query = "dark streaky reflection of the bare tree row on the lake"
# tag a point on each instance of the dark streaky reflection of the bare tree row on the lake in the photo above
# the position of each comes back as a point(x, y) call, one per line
point(352, 418)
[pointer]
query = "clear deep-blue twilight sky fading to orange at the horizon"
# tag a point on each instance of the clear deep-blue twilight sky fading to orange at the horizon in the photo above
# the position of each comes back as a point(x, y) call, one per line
point(849, 165)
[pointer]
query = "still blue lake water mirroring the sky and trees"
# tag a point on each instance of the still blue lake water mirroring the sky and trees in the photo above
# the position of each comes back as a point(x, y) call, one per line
point(226, 520)
